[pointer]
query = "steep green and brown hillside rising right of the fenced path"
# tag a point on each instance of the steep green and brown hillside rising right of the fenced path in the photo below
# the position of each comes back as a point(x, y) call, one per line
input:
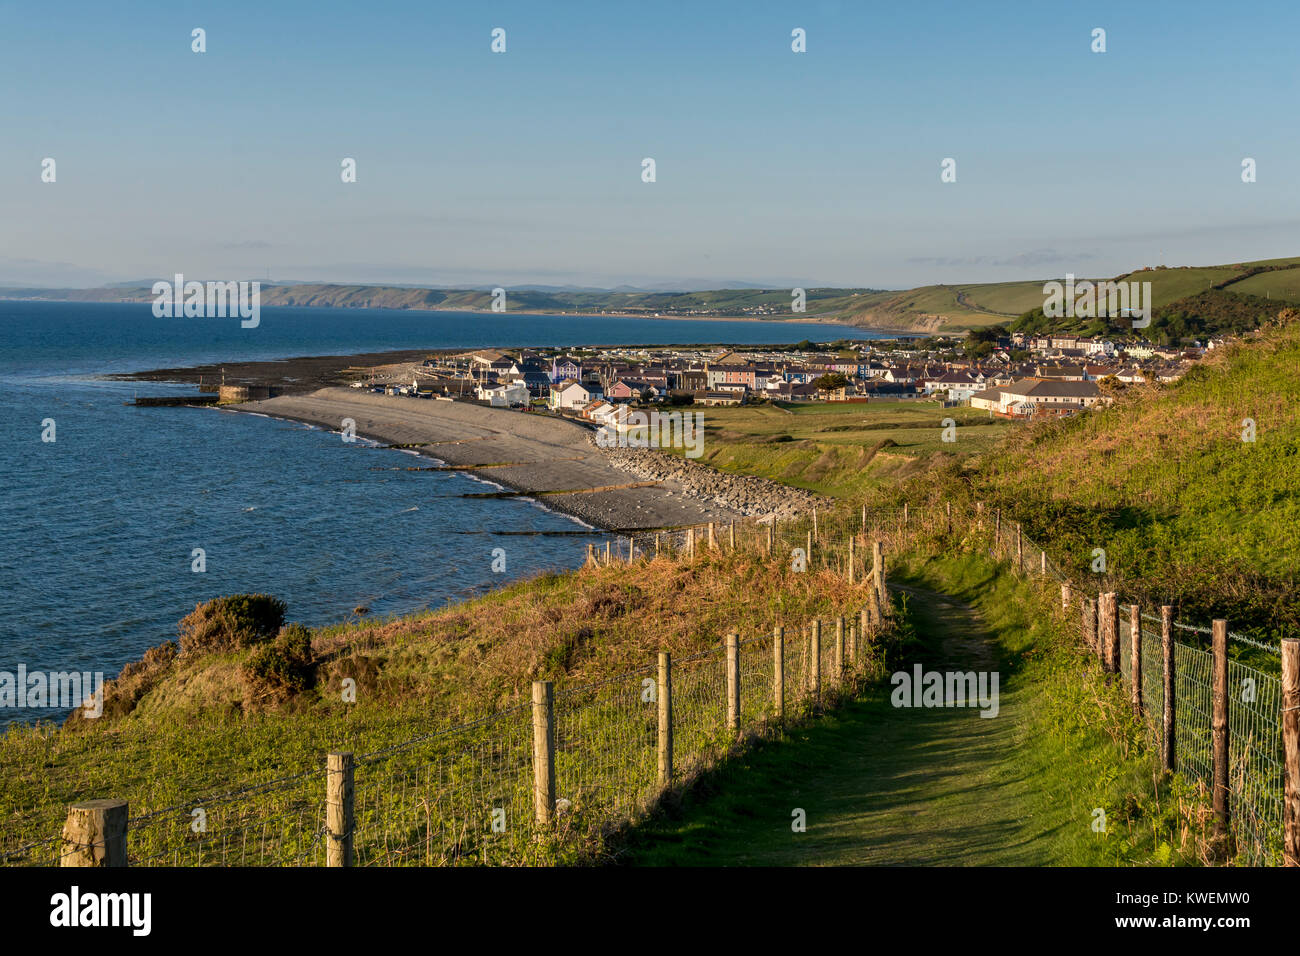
point(1186, 511)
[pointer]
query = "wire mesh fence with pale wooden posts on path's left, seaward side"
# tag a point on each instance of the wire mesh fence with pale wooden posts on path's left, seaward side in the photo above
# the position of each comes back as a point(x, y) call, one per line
point(469, 795)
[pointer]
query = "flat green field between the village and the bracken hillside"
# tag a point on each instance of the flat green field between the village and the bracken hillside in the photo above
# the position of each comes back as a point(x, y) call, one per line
point(843, 449)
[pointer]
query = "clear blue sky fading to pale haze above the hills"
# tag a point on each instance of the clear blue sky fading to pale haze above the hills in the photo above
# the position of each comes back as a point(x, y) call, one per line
point(523, 168)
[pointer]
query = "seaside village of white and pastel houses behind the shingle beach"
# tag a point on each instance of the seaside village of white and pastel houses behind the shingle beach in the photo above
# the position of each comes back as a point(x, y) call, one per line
point(1021, 378)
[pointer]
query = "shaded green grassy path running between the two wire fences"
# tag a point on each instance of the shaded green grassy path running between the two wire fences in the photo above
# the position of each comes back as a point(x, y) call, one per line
point(879, 785)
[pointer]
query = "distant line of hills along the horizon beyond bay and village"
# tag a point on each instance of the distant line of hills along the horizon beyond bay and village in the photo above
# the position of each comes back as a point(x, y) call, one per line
point(1189, 301)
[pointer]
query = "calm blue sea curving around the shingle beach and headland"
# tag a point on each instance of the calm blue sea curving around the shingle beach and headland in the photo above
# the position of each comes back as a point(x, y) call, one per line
point(97, 529)
